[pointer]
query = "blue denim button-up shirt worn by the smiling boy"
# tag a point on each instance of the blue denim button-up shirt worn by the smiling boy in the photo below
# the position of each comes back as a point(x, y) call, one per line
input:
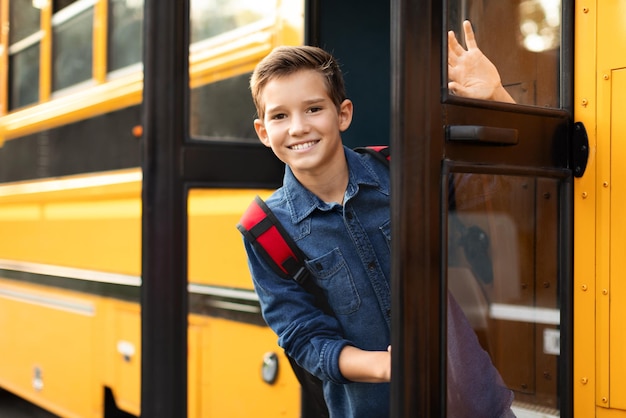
point(349, 251)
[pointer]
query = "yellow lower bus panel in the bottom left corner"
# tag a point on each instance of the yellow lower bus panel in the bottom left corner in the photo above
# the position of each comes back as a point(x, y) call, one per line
point(47, 346)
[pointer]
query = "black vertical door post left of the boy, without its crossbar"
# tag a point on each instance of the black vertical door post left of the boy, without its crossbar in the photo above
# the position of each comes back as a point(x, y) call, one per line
point(164, 297)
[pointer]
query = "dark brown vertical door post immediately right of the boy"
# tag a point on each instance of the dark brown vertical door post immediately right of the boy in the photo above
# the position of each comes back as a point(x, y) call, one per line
point(417, 363)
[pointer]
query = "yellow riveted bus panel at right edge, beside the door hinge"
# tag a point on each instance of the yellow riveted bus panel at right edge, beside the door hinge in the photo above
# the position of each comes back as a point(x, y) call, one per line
point(599, 201)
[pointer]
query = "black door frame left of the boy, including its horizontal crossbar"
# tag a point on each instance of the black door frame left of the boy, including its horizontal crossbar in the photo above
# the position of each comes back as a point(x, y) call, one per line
point(173, 163)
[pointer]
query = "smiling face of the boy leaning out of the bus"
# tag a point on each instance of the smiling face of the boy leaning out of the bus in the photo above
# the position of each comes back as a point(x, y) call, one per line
point(302, 125)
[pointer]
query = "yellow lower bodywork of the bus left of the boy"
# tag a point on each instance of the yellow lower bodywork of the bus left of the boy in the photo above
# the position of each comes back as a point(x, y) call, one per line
point(51, 336)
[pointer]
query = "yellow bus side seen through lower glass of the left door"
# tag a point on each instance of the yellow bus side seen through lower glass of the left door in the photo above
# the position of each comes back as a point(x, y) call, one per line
point(233, 351)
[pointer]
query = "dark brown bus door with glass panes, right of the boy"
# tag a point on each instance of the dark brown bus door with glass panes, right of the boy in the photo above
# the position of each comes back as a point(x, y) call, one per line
point(483, 205)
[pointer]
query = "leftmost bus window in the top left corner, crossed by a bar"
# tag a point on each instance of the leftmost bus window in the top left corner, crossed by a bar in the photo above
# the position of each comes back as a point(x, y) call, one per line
point(24, 48)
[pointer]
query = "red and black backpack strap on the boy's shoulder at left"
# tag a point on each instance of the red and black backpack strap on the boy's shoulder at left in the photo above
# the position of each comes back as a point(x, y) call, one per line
point(264, 231)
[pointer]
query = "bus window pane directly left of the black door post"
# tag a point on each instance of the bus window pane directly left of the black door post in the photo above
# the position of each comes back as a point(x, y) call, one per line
point(125, 33)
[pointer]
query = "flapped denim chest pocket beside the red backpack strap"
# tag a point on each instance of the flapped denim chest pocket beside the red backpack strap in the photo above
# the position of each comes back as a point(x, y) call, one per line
point(333, 276)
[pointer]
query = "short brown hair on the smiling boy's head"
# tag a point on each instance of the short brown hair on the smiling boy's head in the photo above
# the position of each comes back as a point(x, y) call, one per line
point(286, 60)
